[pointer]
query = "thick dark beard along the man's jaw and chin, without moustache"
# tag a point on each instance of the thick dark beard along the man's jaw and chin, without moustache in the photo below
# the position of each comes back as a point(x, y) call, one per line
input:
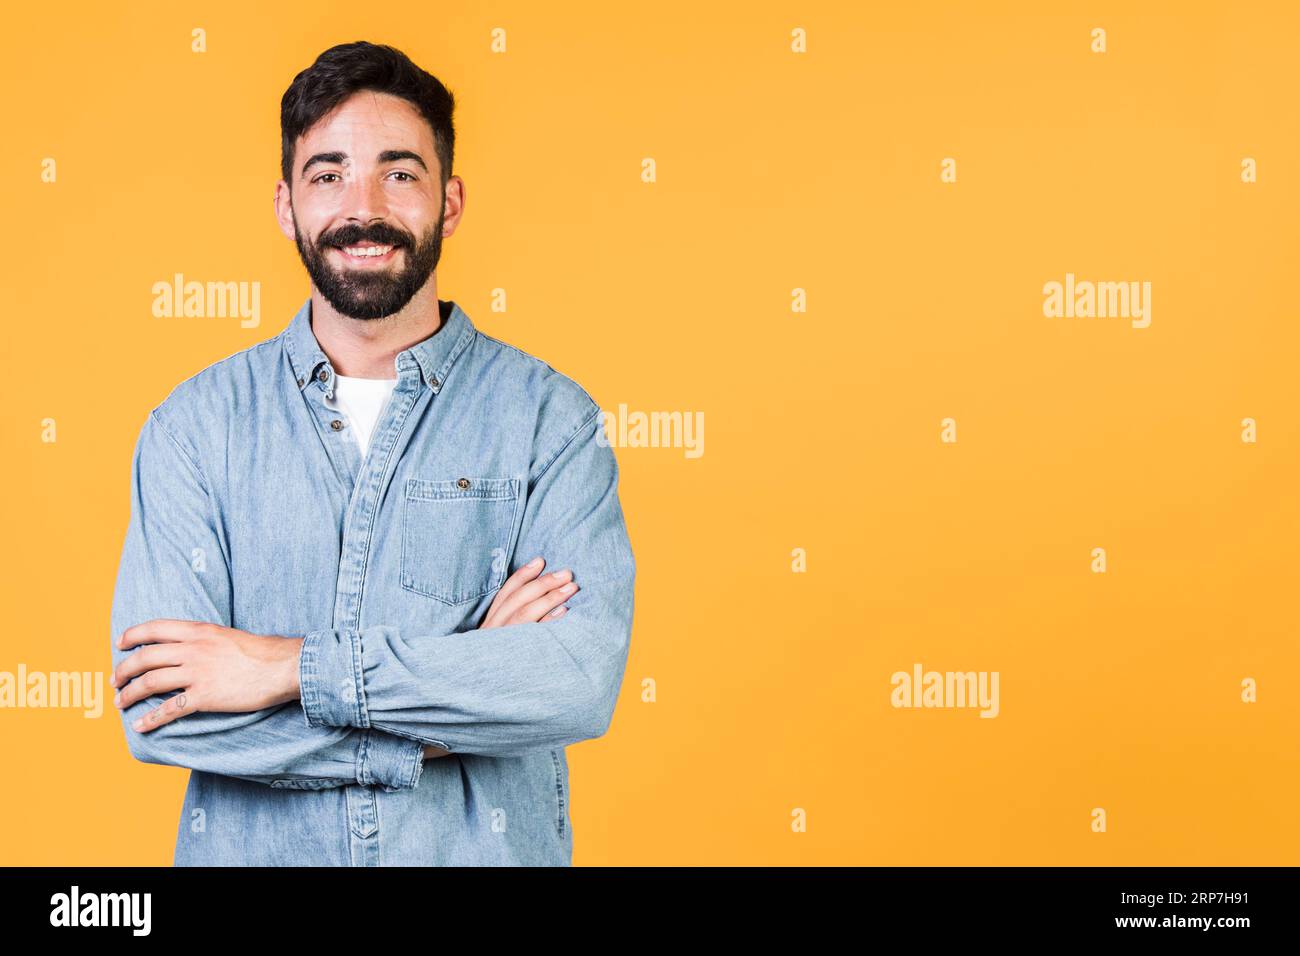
point(372, 295)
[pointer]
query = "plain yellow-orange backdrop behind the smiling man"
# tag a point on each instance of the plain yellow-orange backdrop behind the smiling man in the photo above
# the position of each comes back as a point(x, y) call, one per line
point(775, 171)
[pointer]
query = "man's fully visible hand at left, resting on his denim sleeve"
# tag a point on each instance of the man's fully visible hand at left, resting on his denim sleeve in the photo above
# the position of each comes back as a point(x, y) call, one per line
point(218, 669)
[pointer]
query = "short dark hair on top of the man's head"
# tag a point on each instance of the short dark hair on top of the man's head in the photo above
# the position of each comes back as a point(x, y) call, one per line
point(350, 68)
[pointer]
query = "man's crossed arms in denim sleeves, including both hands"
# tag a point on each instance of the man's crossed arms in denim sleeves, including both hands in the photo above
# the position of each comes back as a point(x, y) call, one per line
point(337, 706)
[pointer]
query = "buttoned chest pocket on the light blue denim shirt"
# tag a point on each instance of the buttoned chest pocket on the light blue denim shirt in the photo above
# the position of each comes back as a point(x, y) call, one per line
point(456, 537)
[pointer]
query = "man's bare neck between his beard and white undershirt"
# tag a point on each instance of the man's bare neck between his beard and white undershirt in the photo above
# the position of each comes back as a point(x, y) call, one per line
point(369, 348)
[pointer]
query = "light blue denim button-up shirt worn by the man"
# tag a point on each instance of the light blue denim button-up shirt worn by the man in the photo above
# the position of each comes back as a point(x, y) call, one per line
point(253, 508)
